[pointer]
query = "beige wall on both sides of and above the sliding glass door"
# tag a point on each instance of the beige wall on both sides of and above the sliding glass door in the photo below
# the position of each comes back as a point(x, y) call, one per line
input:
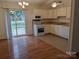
point(30, 12)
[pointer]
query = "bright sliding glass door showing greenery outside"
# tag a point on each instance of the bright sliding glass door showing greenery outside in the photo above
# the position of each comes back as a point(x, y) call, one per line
point(17, 18)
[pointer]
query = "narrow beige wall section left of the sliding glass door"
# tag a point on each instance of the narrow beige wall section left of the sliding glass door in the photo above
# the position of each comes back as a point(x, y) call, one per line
point(2, 24)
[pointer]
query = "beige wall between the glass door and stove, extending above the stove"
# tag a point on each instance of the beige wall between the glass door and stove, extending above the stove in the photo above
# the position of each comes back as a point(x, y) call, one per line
point(30, 14)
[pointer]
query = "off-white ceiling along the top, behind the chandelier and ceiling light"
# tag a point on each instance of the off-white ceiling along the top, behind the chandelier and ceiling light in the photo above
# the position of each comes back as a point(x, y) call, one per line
point(41, 2)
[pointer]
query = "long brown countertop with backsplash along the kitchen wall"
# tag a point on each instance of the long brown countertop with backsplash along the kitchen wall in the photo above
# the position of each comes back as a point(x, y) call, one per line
point(52, 21)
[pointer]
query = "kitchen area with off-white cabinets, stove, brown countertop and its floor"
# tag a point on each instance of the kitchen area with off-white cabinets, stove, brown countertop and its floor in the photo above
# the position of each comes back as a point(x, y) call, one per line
point(53, 25)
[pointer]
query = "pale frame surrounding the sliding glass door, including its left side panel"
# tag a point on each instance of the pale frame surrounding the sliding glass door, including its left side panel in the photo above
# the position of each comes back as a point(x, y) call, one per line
point(8, 23)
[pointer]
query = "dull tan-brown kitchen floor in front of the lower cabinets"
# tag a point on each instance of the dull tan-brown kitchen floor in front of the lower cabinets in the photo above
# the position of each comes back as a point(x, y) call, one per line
point(55, 41)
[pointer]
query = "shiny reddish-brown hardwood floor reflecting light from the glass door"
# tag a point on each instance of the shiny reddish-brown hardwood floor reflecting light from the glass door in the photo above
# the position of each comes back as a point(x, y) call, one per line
point(29, 47)
